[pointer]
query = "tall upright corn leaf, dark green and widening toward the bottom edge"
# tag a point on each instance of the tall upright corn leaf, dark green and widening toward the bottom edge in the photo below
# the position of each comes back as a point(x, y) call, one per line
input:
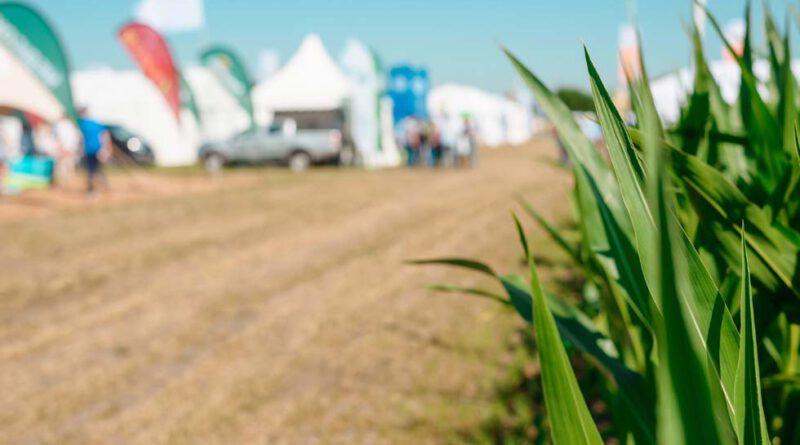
point(686, 413)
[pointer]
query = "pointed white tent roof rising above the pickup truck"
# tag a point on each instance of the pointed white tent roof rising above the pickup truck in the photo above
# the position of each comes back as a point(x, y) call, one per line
point(310, 80)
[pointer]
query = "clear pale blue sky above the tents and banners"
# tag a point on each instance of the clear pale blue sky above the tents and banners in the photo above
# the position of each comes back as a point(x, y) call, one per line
point(457, 40)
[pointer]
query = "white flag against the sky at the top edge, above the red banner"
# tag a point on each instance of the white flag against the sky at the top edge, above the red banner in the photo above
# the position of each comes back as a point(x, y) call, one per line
point(171, 15)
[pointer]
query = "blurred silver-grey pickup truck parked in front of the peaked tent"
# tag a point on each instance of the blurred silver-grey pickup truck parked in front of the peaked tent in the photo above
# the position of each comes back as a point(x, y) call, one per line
point(282, 142)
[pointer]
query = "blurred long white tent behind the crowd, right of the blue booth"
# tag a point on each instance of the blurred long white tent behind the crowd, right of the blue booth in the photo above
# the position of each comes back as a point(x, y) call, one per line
point(497, 120)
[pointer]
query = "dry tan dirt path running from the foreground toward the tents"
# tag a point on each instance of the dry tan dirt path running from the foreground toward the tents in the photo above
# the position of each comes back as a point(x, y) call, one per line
point(271, 308)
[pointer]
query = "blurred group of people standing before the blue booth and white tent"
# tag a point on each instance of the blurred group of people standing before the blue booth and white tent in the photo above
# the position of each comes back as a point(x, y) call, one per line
point(450, 142)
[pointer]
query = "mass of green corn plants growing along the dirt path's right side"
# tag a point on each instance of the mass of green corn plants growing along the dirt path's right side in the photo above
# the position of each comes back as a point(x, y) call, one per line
point(692, 235)
